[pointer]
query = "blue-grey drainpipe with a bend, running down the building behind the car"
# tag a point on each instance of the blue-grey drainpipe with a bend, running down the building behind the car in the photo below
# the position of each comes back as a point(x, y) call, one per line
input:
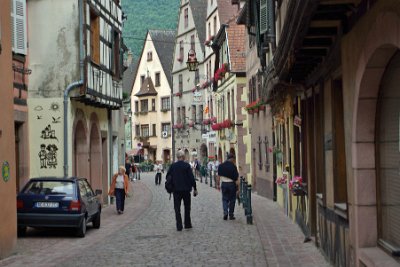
point(72, 86)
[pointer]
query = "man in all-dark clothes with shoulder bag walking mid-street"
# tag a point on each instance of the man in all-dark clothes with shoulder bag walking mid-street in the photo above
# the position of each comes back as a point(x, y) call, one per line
point(183, 182)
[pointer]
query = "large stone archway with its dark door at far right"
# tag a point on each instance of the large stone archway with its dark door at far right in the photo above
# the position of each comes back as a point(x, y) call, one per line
point(376, 148)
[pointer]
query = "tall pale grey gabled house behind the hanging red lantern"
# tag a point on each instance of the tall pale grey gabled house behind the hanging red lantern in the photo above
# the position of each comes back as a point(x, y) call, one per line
point(188, 103)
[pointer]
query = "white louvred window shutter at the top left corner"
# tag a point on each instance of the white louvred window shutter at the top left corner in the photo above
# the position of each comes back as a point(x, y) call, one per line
point(20, 27)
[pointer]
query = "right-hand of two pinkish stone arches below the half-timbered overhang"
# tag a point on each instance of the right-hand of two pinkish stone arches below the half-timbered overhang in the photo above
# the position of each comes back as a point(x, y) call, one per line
point(95, 157)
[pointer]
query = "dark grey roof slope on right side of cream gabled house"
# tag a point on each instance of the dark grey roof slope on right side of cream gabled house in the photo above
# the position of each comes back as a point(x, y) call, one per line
point(164, 43)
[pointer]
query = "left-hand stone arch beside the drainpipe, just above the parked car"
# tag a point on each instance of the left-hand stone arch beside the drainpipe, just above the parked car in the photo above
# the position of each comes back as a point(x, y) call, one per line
point(81, 155)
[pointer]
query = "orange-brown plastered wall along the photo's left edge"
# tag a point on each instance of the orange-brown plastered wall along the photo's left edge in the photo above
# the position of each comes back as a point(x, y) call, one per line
point(8, 228)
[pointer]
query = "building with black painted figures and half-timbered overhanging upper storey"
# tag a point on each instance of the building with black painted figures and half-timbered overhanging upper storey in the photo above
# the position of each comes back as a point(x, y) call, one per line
point(75, 90)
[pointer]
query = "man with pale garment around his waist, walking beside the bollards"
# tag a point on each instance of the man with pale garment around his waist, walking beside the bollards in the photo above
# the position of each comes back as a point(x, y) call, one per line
point(228, 183)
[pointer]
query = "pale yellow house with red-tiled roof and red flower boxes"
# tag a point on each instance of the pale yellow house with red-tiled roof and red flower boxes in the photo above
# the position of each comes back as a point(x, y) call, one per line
point(229, 85)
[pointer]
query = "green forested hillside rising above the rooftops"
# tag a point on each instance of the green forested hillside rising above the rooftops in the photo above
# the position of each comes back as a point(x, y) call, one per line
point(144, 15)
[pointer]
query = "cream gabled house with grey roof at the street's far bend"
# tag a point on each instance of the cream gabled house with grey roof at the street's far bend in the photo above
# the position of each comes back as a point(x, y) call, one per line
point(151, 97)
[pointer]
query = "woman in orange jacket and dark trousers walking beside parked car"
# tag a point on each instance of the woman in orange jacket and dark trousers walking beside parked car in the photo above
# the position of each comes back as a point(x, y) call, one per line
point(119, 188)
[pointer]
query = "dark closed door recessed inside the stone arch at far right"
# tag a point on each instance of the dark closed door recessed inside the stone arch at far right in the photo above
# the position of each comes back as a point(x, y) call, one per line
point(388, 154)
